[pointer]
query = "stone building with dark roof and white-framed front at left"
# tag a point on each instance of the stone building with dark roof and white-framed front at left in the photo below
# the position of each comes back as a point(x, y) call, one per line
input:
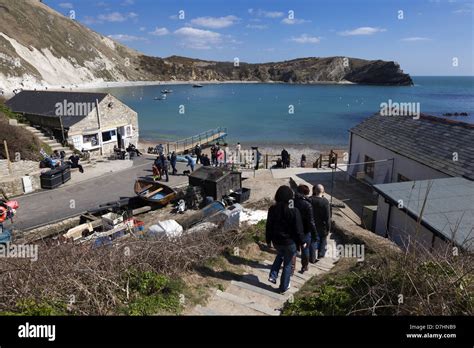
point(93, 122)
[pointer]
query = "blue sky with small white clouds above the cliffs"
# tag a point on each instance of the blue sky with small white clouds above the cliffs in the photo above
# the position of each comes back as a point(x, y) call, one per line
point(427, 38)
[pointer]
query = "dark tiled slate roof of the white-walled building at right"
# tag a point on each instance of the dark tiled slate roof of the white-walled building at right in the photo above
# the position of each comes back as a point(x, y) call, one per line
point(428, 140)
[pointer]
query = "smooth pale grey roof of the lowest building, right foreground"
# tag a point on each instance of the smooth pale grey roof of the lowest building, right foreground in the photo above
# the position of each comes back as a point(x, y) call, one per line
point(449, 208)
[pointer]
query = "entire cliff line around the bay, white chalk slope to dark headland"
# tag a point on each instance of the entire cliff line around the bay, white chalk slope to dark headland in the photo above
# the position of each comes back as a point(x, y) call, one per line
point(39, 46)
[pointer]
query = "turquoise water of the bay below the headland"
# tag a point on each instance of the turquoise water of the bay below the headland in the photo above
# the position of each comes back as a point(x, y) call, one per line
point(259, 113)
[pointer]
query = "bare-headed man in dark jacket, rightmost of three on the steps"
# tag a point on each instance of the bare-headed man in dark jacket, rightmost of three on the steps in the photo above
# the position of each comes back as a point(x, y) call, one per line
point(322, 219)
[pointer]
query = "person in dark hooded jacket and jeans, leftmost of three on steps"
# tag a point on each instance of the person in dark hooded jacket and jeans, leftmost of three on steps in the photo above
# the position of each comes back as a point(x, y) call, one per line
point(284, 229)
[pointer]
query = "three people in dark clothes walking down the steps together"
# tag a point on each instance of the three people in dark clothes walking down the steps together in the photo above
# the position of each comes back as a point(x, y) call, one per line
point(297, 222)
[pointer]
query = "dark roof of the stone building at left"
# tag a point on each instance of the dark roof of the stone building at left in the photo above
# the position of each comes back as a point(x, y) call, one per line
point(43, 103)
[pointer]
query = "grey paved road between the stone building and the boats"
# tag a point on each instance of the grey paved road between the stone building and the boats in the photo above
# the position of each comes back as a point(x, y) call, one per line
point(86, 191)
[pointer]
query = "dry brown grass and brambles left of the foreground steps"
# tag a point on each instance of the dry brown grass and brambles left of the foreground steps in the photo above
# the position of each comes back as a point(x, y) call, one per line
point(99, 278)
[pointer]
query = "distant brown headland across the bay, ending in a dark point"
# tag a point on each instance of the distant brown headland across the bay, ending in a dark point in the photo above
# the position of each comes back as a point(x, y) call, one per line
point(304, 70)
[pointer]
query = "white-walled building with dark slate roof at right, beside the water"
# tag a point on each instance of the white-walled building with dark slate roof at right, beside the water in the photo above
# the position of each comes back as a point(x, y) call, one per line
point(386, 149)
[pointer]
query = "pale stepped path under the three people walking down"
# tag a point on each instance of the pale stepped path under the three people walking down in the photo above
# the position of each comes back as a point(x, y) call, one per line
point(253, 294)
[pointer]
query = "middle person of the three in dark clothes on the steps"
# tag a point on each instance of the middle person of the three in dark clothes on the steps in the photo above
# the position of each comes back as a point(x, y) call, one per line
point(303, 204)
